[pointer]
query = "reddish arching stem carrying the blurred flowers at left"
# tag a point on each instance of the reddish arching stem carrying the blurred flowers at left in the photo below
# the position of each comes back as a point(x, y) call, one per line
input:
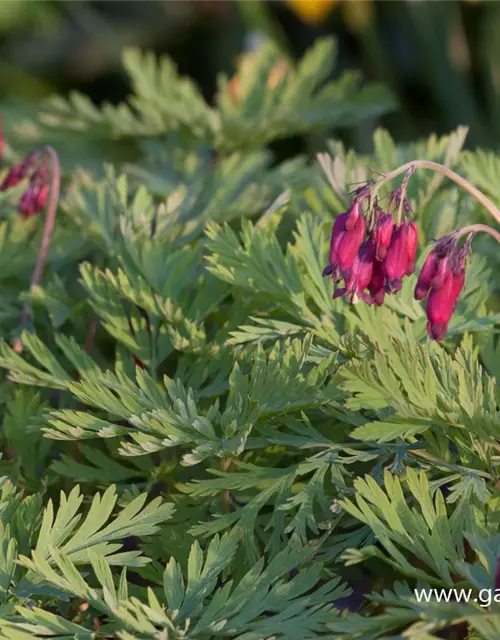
point(50, 220)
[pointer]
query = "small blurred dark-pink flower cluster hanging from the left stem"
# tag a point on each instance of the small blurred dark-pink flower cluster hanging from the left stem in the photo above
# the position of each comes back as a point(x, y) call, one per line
point(34, 199)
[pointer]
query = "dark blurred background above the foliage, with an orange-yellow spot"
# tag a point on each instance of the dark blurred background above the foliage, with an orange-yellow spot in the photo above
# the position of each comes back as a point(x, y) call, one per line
point(440, 57)
